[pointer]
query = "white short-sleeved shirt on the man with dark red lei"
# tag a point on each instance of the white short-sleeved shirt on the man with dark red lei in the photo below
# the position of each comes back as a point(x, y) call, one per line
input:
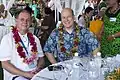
point(9, 52)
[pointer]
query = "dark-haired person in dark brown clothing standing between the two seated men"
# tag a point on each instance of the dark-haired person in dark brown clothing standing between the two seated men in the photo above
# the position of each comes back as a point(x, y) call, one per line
point(49, 22)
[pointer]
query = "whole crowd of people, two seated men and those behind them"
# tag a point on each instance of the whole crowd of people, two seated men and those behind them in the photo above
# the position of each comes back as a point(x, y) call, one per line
point(95, 31)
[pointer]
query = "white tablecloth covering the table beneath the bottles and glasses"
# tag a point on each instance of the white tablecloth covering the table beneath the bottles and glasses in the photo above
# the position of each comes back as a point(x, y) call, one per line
point(45, 74)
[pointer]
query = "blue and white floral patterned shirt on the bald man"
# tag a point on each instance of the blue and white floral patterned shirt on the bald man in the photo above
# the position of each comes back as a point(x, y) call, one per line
point(87, 44)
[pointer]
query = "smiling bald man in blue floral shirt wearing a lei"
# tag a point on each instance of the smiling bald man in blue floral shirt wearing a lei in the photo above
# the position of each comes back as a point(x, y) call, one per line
point(68, 39)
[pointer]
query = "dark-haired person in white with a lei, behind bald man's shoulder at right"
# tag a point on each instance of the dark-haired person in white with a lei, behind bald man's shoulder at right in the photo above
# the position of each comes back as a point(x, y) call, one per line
point(85, 18)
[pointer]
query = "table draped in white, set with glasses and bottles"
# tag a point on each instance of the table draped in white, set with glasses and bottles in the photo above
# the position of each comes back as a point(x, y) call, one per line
point(77, 71)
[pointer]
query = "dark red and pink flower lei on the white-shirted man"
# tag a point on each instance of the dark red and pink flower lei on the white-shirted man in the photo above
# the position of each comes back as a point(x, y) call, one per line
point(20, 48)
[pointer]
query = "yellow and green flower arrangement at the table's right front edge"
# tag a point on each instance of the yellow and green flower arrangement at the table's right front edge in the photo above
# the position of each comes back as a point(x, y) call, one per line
point(115, 75)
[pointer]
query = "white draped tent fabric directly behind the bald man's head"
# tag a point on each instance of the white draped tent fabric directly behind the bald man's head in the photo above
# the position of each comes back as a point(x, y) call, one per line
point(76, 5)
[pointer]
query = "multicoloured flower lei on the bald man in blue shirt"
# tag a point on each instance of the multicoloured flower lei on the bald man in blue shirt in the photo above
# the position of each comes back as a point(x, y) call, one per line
point(76, 41)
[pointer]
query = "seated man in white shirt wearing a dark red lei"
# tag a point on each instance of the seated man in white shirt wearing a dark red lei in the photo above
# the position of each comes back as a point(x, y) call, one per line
point(21, 53)
